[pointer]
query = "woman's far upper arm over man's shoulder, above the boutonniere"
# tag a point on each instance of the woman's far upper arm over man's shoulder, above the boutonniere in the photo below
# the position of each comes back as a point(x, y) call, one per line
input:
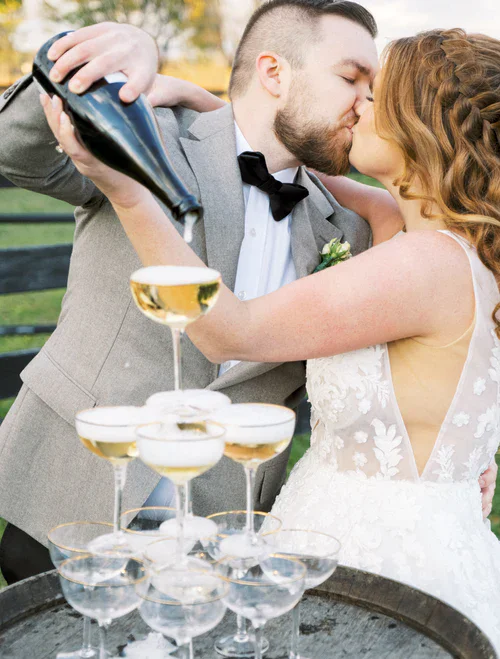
point(375, 205)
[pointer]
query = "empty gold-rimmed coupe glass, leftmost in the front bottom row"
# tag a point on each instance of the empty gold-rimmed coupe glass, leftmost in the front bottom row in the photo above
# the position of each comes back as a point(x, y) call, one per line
point(103, 588)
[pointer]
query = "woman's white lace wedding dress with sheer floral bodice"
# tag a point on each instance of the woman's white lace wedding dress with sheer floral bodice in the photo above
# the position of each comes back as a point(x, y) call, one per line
point(359, 480)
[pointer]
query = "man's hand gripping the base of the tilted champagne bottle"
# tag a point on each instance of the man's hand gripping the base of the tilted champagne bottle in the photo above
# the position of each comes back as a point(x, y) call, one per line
point(103, 49)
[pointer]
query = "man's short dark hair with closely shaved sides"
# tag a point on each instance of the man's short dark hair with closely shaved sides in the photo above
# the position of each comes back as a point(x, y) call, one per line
point(287, 27)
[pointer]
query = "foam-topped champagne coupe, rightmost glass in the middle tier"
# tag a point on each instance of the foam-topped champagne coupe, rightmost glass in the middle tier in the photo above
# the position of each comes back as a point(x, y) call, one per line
point(255, 433)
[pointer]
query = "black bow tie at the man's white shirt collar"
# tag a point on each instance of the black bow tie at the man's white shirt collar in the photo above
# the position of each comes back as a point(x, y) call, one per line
point(282, 196)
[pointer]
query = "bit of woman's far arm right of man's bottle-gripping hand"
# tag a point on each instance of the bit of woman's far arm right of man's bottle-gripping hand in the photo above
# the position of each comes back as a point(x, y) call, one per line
point(168, 91)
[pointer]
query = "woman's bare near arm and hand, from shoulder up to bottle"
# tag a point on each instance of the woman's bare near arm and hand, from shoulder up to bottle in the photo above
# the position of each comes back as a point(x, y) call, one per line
point(386, 293)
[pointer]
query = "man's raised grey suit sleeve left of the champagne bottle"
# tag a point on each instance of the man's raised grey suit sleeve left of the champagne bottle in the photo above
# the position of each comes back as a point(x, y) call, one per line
point(28, 157)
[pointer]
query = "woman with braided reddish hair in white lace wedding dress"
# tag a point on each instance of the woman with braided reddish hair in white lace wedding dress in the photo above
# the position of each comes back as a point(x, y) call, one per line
point(403, 373)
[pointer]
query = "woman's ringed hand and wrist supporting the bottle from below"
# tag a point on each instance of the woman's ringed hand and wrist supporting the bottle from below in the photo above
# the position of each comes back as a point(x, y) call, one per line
point(119, 189)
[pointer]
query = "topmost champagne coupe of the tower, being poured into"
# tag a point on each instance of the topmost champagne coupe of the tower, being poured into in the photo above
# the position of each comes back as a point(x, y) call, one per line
point(175, 296)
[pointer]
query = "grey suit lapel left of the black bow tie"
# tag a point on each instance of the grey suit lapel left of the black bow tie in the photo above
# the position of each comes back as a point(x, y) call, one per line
point(212, 156)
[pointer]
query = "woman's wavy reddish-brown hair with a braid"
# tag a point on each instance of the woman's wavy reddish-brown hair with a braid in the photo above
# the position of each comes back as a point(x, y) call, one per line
point(439, 100)
